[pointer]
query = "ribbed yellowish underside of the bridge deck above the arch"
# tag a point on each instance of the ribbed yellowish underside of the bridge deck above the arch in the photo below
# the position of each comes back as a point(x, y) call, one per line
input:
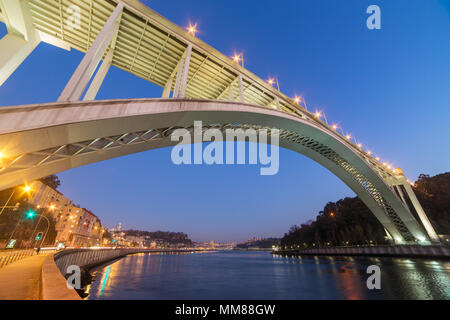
point(151, 47)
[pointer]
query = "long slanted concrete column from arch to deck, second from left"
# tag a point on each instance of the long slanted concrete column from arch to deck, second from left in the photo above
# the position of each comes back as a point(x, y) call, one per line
point(79, 80)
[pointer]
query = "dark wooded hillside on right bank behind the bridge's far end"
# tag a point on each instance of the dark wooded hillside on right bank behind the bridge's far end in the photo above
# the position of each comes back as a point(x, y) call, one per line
point(349, 222)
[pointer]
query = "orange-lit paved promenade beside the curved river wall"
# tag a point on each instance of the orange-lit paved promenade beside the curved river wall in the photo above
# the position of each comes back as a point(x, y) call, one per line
point(21, 280)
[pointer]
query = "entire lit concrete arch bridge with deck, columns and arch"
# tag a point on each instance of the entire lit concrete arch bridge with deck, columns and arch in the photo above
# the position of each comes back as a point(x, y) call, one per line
point(199, 83)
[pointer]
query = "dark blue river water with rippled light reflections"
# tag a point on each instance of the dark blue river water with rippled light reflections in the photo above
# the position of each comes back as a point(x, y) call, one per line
point(260, 275)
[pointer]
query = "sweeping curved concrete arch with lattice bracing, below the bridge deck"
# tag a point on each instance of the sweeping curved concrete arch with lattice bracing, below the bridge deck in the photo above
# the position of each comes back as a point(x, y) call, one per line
point(38, 140)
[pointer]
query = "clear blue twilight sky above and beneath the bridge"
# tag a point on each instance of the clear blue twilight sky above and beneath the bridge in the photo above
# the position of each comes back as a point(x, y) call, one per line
point(390, 88)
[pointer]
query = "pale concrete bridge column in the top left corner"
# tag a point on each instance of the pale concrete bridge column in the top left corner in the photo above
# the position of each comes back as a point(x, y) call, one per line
point(21, 39)
